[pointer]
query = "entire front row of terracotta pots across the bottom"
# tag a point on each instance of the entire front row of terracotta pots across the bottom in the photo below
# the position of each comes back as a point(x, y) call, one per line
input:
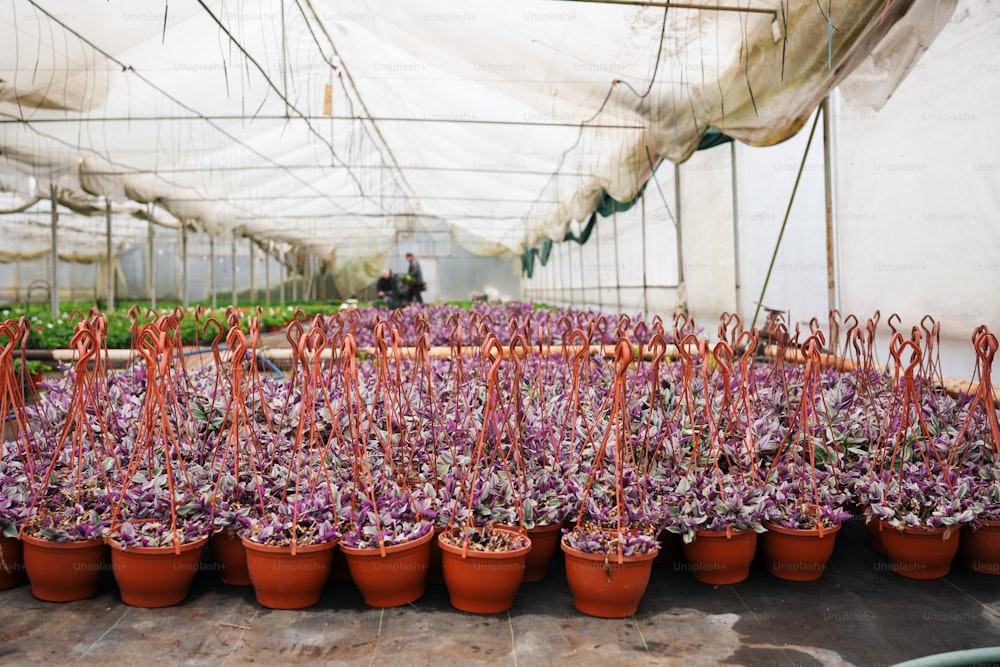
point(601, 586)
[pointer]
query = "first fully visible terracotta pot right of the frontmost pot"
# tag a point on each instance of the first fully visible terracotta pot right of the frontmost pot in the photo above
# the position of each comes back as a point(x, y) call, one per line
point(714, 558)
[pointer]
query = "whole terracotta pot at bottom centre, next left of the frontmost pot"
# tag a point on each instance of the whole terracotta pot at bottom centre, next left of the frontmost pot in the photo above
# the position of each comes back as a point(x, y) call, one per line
point(483, 582)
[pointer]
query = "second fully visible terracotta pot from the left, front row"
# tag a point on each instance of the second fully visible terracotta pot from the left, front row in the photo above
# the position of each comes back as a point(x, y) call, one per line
point(154, 577)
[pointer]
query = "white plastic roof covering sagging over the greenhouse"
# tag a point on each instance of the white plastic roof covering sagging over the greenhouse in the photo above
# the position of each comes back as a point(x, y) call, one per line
point(503, 121)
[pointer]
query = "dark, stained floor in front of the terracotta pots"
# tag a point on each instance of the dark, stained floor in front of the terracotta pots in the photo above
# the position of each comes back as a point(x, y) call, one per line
point(859, 613)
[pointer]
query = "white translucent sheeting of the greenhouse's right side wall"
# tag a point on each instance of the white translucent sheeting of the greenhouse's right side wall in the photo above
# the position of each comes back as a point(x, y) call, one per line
point(913, 203)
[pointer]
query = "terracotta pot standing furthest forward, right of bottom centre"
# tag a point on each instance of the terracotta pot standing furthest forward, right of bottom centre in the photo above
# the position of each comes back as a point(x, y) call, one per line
point(604, 588)
